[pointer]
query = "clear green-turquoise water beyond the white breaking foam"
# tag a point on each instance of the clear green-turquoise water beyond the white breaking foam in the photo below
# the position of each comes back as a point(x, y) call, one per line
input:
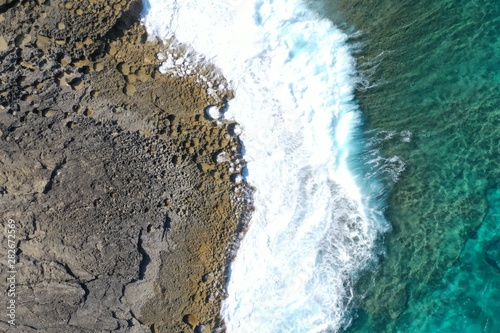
point(432, 98)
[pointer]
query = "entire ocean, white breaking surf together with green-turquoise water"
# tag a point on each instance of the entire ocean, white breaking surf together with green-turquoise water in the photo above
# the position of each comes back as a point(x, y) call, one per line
point(370, 132)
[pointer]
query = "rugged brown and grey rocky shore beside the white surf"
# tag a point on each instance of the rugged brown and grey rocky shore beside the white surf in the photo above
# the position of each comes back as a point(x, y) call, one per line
point(117, 180)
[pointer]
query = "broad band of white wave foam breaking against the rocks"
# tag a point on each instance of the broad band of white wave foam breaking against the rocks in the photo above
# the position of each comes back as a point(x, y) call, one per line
point(312, 230)
